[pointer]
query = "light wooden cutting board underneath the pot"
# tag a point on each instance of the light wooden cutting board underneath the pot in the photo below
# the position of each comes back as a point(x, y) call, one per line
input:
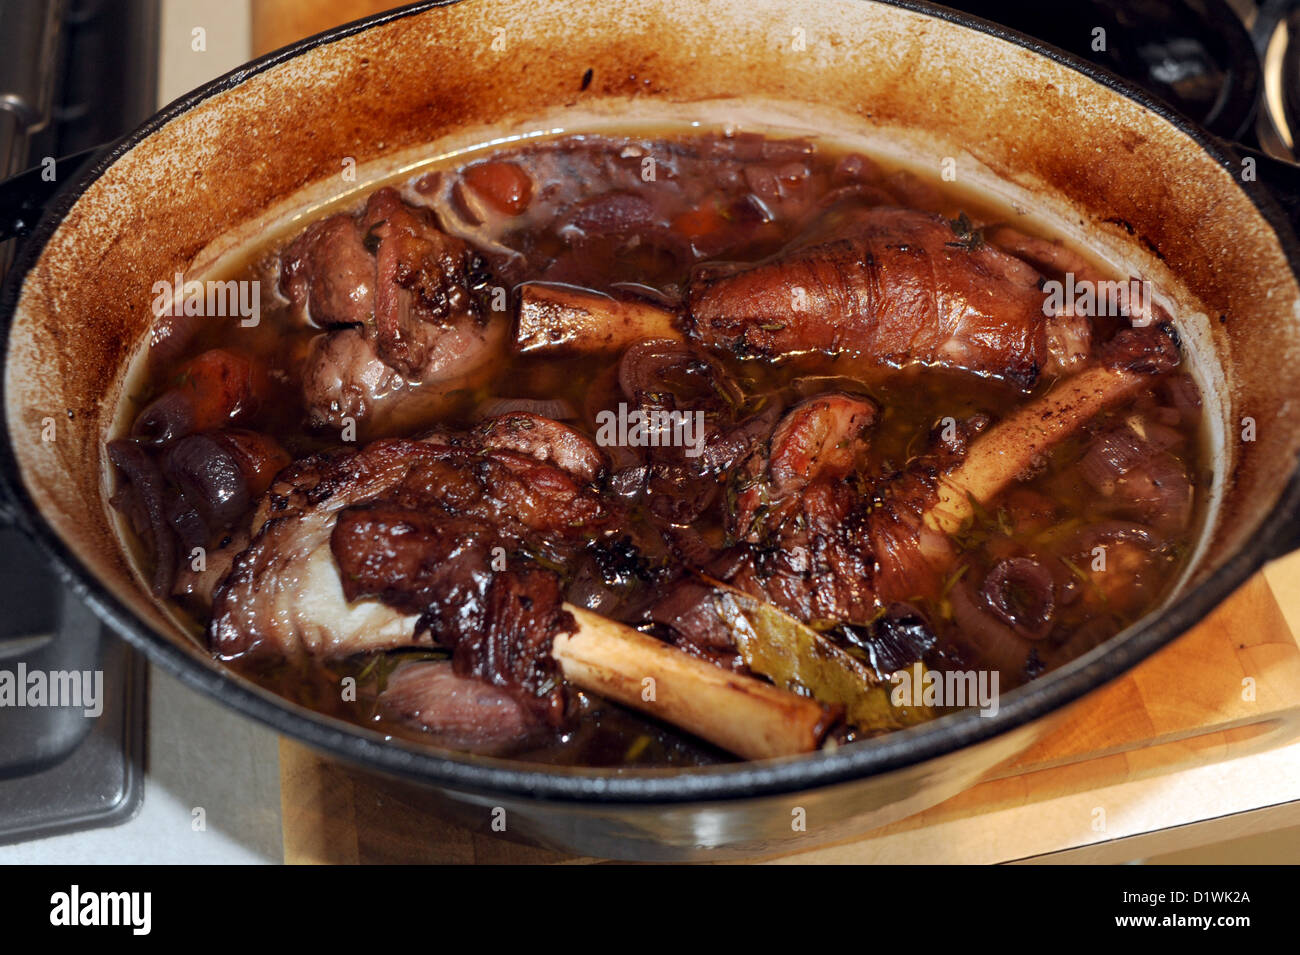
point(1143, 737)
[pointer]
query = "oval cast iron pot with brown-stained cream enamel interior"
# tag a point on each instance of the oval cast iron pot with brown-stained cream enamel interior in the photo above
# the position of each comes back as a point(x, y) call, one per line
point(252, 151)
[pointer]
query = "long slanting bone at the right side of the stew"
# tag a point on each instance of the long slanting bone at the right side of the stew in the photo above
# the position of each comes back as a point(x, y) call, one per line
point(1009, 449)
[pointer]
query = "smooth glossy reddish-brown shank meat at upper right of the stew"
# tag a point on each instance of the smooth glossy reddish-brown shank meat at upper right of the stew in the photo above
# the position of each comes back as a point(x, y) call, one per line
point(894, 285)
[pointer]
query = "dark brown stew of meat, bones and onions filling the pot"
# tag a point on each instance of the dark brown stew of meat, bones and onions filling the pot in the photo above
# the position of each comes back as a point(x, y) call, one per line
point(658, 452)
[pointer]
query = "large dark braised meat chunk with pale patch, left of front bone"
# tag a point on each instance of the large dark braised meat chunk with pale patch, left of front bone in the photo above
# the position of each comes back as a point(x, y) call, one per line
point(414, 544)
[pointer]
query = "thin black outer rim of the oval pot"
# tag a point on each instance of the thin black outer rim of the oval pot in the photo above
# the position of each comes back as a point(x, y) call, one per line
point(564, 784)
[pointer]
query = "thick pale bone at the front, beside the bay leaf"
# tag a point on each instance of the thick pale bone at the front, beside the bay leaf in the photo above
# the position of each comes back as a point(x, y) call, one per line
point(739, 714)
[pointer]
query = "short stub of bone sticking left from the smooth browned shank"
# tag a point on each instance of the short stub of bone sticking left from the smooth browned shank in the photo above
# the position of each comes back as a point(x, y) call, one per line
point(564, 320)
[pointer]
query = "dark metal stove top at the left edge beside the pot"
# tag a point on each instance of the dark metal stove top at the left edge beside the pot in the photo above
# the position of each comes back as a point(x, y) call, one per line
point(72, 698)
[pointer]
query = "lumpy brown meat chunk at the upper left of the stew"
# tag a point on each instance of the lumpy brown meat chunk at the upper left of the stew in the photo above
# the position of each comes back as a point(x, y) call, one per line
point(405, 306)
